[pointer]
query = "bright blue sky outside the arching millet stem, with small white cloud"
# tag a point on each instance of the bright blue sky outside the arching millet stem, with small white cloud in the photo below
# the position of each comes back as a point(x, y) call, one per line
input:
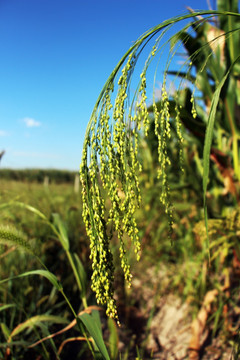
point(55, 58)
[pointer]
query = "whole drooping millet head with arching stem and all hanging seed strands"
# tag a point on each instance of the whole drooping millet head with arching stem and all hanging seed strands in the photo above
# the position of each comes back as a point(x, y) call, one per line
point(110, 162)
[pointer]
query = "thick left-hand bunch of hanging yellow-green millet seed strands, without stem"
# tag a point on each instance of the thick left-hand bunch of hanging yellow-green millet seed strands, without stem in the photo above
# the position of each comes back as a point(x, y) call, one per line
point(110, 157)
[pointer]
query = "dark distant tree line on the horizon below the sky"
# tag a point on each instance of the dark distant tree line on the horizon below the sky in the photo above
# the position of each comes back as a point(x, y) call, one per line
point(38, 175)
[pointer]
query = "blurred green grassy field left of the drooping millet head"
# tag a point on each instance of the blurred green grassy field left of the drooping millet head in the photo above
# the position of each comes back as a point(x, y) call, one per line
point(24, 298)
